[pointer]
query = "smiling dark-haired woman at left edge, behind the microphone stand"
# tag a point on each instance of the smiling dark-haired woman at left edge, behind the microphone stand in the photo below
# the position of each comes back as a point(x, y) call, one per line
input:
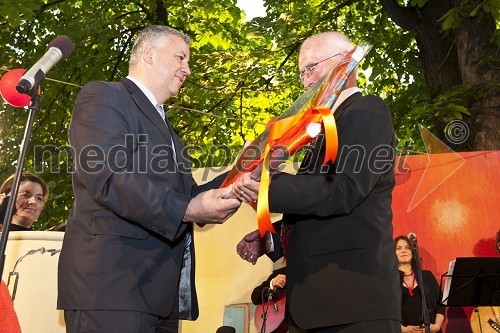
point(31, 198)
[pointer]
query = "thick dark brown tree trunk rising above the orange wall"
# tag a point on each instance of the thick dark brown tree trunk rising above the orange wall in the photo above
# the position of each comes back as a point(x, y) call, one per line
point(457, 57)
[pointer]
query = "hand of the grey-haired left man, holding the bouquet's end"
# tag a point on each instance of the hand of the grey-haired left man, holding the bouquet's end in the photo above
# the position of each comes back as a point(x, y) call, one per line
point(211, 207)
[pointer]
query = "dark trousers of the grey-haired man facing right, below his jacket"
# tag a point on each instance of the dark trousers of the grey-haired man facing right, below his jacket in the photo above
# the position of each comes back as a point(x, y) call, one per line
point(81, 321)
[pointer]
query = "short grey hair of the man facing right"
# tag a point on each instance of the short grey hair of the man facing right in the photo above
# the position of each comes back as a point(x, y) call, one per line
point(152, 35)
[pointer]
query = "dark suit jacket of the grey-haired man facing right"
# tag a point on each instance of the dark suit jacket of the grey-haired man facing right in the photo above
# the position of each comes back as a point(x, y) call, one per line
point(125, 239)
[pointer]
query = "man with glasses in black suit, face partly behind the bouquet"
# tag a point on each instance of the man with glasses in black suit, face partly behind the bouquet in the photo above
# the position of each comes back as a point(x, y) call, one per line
point(342, 273)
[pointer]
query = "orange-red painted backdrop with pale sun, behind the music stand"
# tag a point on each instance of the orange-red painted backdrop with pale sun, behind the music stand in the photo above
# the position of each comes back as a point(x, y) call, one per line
point(450, 201)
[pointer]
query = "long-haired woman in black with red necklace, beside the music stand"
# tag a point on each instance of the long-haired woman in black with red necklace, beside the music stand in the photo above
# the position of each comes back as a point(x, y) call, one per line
point(411, 306)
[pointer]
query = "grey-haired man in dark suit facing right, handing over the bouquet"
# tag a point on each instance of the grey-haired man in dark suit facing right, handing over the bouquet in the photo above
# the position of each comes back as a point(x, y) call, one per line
point(127, 260)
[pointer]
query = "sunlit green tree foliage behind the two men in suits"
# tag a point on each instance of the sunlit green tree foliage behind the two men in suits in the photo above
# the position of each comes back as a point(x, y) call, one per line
point(243, 73)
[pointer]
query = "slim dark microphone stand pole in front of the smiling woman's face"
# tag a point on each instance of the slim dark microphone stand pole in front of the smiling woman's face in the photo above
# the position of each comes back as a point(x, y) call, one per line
point(34, 108)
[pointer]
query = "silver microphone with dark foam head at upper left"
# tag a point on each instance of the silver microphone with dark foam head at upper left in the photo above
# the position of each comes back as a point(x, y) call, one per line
point(58, 49)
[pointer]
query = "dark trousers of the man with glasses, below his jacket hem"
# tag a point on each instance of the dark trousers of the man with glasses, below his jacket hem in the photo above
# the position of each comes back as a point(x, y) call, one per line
point(372, 326)
